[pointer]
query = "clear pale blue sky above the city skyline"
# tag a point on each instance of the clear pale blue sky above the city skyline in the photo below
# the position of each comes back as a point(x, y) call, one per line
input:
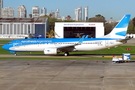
point(107, 8)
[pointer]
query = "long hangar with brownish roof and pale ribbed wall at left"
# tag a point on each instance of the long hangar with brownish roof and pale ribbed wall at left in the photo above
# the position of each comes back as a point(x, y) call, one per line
point(22, 27)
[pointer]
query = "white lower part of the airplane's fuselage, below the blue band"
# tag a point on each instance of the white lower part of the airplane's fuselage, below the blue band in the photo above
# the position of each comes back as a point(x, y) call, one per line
point(85, 46)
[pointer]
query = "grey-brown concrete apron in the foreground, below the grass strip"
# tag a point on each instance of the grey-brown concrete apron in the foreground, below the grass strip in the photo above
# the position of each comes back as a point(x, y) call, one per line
point(66, 75)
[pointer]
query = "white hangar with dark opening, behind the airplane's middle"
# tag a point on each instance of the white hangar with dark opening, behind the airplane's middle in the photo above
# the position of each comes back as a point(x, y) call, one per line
point(78, 29)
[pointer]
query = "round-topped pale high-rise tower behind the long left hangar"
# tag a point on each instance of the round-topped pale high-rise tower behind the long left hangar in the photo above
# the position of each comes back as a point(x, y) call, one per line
point(22, 13)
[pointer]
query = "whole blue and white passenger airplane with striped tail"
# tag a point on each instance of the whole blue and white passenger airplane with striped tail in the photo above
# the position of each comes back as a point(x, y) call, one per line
point(54, 46)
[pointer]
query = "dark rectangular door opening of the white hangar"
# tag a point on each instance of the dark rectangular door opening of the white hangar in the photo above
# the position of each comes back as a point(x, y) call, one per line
point(78, 32)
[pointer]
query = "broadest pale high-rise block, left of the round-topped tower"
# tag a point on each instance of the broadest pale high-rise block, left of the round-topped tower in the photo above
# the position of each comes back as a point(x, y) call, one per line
point(8, 12)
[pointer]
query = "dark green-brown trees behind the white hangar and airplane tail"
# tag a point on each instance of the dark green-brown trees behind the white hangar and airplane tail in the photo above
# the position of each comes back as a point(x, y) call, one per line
point(98, 18)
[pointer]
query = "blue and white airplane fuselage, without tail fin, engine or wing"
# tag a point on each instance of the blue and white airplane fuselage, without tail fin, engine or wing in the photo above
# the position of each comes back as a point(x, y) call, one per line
point(89, 44)
